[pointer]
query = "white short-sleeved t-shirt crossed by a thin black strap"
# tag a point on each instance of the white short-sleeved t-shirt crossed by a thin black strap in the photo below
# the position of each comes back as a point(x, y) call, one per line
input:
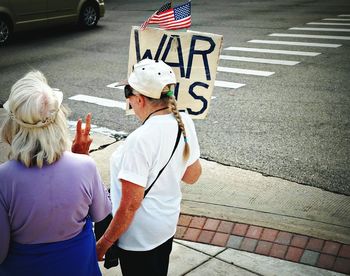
point(139, 160)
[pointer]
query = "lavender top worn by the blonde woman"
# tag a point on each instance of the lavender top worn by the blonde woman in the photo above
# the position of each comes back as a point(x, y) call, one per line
point(49, 204)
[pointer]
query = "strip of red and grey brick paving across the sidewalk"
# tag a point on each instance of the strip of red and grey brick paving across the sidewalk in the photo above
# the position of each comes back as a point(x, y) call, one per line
point(284, 245)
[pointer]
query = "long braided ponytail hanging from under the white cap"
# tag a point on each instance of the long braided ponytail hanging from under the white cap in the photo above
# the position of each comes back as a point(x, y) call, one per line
point(170, 101)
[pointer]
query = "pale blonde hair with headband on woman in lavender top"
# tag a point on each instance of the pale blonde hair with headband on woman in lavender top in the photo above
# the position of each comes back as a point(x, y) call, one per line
point(36, 127)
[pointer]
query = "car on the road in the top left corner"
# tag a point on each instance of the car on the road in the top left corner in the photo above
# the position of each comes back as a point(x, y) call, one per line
point(16, 15)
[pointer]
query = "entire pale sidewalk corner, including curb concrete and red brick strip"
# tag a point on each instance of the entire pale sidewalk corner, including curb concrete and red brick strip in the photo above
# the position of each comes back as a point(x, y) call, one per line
point(238, 222)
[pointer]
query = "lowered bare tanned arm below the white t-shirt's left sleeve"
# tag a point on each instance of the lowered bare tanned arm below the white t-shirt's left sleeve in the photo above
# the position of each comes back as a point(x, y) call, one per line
point(132, 196)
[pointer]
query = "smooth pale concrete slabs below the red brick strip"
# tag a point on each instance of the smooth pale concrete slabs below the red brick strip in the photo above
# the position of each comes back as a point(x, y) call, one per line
point(190, 258)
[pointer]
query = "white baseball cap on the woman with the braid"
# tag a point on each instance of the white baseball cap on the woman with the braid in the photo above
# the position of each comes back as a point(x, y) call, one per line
point(149, 77)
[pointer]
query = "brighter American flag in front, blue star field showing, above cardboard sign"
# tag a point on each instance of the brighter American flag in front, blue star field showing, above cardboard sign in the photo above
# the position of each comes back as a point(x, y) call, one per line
point(175, 18)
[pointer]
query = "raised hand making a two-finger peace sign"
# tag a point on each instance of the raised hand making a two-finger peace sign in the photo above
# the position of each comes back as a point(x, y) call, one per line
point(82, 140)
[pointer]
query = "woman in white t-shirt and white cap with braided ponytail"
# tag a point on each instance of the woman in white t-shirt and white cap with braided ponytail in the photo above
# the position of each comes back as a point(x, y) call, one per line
point(144, 227)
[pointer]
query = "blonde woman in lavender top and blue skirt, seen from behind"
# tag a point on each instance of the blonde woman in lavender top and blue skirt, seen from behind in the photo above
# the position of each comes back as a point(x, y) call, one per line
point(48, 195)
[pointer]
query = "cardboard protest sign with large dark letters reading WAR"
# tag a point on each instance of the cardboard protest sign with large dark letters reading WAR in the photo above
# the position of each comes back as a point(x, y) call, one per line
point(192, 55)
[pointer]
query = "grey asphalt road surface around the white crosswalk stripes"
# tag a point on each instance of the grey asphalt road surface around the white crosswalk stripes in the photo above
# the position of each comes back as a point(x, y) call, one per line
point(294, 124)
